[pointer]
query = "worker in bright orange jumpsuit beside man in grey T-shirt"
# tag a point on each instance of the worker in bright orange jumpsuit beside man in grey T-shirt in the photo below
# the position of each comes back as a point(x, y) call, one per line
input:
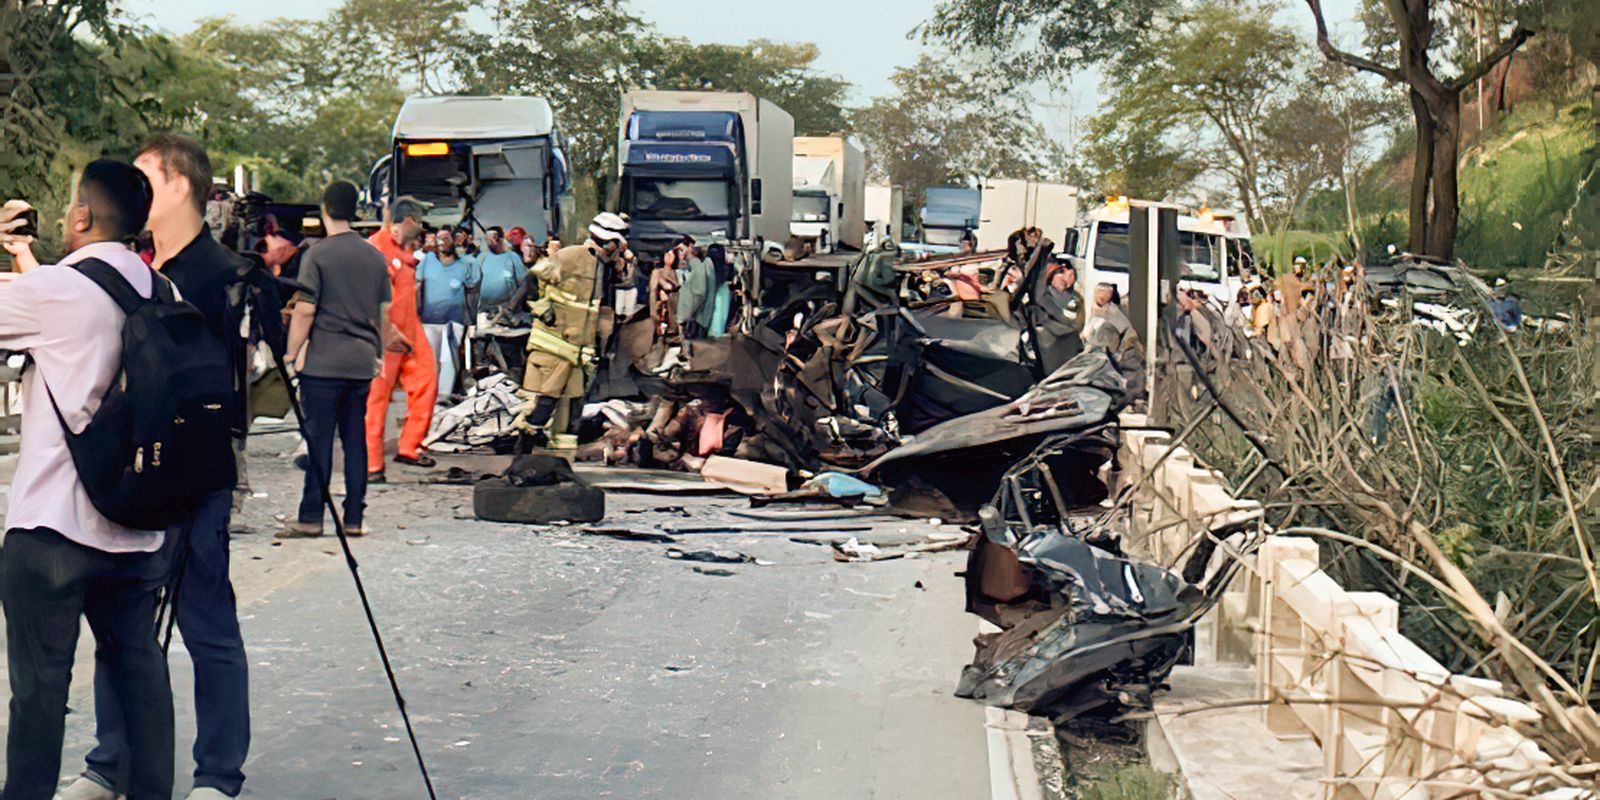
point(412, 362)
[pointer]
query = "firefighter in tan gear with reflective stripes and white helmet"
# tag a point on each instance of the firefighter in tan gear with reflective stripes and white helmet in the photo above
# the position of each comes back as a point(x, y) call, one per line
point(566, 327)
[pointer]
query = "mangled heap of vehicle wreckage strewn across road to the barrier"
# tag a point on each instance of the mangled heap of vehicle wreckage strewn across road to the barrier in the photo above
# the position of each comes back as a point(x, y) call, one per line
point(950, 406)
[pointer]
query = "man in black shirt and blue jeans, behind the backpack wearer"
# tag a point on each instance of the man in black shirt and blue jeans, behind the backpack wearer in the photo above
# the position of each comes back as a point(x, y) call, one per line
point(207, 276)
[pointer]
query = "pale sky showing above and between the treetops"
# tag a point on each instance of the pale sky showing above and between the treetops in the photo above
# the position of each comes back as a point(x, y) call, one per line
point(862, 41)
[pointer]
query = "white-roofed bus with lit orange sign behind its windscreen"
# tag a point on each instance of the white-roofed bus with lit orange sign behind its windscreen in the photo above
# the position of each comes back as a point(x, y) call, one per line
point(479, 161)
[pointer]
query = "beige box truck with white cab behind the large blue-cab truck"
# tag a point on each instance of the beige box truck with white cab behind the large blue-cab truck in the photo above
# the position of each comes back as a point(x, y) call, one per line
point(830, 185)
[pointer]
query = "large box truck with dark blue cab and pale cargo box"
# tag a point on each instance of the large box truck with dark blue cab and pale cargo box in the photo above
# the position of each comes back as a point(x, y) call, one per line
point(706, 164)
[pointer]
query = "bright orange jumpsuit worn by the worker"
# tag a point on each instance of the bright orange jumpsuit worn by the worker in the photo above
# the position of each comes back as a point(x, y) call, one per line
point(417, 372)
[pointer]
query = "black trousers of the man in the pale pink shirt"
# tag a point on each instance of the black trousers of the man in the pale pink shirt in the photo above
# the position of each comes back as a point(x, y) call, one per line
point(47, 583)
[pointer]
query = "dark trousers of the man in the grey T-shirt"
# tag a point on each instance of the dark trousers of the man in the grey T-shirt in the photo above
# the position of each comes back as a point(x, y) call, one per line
point(335, 407)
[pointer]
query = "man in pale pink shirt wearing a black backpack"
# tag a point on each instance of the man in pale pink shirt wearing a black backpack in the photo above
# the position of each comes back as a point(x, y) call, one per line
point(63, 558)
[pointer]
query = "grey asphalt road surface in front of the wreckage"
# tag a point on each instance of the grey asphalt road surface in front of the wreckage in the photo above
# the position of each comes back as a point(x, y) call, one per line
point(542, 663)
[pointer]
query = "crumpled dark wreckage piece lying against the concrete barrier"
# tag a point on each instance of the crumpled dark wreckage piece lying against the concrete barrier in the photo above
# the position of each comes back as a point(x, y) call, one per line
point(1086, 628)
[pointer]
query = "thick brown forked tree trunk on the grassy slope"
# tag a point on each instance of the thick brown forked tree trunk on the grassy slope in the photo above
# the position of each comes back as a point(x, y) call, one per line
point(1436, 110)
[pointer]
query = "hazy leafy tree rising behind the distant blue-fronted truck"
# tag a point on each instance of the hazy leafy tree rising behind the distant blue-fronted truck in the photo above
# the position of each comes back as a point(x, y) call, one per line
point(946, 124)
